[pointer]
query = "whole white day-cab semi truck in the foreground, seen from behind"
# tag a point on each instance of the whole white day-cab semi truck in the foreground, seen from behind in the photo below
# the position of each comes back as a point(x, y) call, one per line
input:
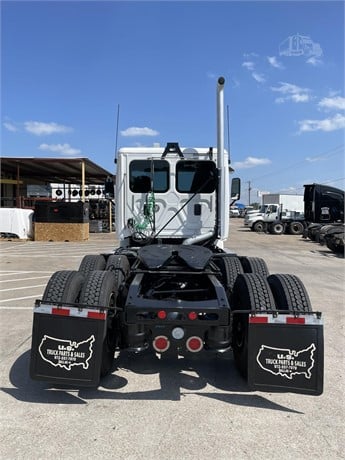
point(171, 287)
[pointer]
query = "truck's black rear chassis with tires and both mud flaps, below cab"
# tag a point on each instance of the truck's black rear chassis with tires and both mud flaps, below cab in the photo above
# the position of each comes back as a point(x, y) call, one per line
point(187, 300)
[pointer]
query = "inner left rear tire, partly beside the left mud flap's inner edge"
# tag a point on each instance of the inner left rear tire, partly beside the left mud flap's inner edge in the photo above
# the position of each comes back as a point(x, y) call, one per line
point(100, 290)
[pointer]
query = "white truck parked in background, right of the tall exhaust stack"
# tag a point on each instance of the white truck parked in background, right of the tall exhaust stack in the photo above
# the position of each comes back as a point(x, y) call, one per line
point(279, 213)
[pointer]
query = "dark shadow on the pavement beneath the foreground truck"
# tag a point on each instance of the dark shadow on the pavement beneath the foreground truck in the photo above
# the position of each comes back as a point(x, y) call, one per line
point(176, 382)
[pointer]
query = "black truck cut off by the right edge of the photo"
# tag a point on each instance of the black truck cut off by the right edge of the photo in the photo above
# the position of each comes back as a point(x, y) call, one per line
point(324, 213)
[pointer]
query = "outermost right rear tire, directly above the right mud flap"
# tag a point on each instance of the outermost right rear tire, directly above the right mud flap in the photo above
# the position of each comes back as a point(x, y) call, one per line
point(289, 293)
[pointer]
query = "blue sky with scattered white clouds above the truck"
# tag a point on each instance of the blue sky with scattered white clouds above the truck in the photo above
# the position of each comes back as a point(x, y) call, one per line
point(66, 66)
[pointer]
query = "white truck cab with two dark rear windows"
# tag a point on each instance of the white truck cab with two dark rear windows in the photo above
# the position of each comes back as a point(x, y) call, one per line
point(169, 195)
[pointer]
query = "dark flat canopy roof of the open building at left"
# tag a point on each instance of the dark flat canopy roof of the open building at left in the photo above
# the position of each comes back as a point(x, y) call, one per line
point(53, 170)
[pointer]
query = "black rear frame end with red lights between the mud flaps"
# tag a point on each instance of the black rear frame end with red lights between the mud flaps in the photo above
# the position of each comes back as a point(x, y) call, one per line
point(144, 319)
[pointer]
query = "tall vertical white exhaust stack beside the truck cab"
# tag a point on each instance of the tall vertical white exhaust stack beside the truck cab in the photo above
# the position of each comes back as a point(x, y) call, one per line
point(223, 175)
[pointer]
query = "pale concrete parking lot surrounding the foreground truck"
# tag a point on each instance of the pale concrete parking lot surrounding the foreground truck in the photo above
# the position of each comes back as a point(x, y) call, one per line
point(148, 408)
